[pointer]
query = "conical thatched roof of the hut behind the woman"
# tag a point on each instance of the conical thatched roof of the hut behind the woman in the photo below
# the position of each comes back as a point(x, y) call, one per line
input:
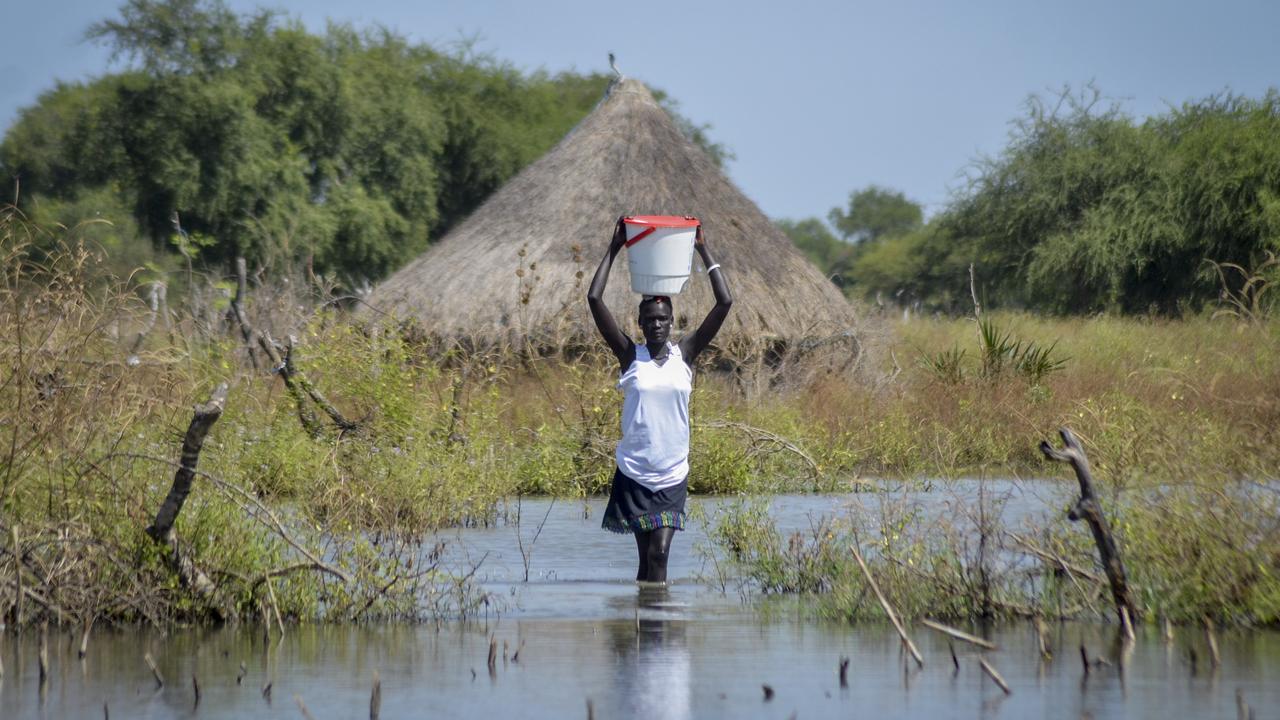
point(522, 265)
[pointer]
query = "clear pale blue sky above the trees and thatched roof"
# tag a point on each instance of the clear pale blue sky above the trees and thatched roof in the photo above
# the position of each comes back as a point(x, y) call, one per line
point(816, 98)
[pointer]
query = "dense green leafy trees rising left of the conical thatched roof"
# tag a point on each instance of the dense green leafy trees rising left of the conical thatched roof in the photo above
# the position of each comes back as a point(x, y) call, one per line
point(349, 152)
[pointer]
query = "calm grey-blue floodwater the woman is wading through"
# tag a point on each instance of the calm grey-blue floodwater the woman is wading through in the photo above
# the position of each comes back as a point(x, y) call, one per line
point(582, 634)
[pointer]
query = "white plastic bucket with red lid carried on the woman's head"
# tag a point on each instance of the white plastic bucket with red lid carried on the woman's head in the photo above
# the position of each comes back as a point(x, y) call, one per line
point(660, 253)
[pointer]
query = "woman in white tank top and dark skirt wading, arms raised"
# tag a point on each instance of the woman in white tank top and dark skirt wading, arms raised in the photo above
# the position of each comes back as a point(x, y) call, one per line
point(652, 479)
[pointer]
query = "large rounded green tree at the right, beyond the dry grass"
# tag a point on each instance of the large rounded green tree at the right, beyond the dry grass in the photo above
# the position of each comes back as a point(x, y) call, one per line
point(1089, 209)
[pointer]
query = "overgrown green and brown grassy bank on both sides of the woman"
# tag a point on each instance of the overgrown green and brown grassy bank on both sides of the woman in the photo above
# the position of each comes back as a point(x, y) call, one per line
point(382, 438)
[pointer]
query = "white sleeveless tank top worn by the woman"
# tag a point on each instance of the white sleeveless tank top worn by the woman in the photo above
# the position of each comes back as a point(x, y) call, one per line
point(655, 448)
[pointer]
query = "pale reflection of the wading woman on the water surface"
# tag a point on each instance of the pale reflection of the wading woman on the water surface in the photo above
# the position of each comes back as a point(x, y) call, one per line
point(651, 659)
